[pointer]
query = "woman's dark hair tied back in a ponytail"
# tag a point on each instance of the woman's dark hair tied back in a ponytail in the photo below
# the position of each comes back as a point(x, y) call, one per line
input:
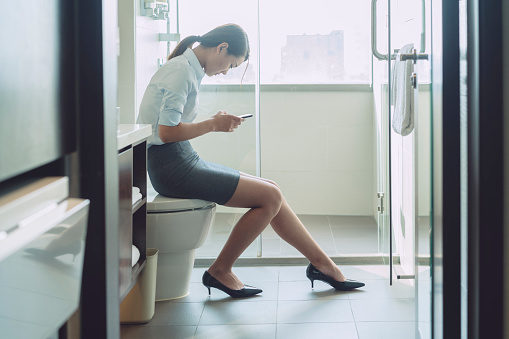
point(232, 34)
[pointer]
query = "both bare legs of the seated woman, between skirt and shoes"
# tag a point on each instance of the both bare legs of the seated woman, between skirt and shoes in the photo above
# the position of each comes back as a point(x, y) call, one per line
point(267, 206)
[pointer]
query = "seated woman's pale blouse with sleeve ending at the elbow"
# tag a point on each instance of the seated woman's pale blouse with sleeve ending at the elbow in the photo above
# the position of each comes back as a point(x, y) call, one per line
point(172, 94)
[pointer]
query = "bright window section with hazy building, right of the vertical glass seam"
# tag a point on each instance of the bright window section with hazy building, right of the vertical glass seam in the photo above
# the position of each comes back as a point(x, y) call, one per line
point(315, 42)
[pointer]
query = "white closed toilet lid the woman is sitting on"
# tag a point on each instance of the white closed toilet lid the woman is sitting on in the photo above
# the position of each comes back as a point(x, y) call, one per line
point(159, 203)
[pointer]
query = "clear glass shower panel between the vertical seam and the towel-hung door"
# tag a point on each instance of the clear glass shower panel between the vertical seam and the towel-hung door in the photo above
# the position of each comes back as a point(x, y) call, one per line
point(316, 121)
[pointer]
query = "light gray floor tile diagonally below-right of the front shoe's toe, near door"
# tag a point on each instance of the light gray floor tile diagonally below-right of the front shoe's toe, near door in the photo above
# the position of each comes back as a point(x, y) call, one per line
point(383, 309)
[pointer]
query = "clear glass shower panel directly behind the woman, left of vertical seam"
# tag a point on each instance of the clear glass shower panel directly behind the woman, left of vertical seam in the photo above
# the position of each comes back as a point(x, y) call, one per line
point(234, 93)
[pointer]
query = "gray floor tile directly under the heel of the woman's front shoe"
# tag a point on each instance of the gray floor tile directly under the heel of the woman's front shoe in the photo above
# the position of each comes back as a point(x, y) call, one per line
point(301, 290)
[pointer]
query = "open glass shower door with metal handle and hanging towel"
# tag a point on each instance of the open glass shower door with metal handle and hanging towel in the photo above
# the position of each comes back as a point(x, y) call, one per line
point(410, 26)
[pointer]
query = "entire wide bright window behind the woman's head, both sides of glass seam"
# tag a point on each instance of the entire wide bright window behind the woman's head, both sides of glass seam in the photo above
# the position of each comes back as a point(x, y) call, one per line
point(319, 42)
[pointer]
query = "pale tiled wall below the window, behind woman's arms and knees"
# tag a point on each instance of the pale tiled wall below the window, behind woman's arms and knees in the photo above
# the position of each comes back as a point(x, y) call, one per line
point(318, 146)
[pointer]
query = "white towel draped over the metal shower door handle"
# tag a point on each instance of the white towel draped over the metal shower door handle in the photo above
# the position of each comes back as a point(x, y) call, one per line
point(403, 94)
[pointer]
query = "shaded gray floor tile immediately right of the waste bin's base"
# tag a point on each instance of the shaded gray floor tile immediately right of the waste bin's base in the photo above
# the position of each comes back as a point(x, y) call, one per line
point(170, 313)
